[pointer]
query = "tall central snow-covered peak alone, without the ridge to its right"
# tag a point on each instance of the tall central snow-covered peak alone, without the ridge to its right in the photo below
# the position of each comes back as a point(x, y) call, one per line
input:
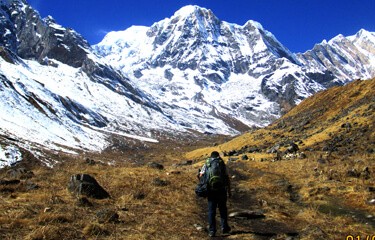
point(201, 64)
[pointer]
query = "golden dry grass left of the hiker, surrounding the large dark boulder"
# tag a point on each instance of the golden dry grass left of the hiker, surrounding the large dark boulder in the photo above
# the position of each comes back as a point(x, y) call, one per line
point(146, 211)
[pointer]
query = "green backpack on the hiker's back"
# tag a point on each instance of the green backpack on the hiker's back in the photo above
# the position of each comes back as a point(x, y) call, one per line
point(215, 174)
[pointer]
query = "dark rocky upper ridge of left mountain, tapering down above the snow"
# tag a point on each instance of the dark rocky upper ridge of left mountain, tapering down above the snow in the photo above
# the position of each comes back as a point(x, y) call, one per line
point(33, 38)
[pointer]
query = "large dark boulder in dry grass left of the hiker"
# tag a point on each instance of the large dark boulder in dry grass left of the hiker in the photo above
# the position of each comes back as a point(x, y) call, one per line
point(84, 184)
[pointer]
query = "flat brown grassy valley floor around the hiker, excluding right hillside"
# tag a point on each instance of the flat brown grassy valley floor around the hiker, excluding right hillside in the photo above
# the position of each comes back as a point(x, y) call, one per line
point(311, 198)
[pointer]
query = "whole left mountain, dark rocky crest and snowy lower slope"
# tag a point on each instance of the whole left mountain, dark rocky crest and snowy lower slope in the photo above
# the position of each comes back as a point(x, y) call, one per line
point(55, 92)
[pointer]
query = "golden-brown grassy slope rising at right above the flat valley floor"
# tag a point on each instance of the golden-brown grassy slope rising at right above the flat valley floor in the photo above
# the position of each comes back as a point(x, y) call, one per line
point(339, 120)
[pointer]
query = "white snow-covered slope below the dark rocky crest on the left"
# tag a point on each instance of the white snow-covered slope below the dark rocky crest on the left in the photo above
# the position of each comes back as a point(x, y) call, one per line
point(34, 101)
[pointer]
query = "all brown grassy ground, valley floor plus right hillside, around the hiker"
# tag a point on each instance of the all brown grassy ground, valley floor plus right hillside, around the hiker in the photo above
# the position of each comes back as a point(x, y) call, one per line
point(325, 190)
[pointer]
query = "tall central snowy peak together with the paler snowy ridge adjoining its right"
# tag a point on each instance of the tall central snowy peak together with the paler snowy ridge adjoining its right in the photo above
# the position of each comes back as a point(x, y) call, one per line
point(210, 68)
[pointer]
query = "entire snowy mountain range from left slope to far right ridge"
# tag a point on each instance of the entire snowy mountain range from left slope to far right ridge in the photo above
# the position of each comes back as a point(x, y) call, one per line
point(191, 71)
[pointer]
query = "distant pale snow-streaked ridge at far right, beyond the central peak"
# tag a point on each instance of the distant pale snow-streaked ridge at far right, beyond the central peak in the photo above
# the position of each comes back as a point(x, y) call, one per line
point(347, 58)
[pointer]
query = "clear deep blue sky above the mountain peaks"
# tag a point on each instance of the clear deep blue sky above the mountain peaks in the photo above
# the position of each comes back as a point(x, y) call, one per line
point(298, 24)
